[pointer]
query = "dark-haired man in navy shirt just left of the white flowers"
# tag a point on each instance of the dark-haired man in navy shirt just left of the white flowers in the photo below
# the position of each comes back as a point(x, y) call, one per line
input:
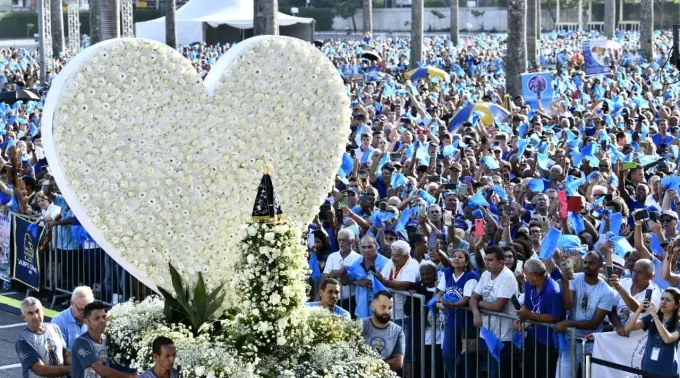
point(90, 355)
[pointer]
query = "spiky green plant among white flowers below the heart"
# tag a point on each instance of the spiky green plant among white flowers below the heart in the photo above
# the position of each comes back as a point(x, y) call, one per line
point(192, 313)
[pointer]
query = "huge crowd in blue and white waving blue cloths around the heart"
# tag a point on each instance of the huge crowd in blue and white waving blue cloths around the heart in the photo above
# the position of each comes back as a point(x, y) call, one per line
point(564, 215)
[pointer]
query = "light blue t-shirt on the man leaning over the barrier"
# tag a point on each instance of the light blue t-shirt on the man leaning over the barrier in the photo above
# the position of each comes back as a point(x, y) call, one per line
point(587, 300)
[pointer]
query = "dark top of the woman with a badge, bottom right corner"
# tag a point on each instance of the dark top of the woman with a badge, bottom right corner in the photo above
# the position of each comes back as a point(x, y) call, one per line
point(667, 361)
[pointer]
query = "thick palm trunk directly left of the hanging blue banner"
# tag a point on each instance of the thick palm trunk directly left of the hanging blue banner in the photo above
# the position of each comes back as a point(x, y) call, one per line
point(516, 57)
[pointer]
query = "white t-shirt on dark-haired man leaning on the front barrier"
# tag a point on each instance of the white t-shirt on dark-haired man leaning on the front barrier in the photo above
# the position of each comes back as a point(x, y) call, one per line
point(504, 286)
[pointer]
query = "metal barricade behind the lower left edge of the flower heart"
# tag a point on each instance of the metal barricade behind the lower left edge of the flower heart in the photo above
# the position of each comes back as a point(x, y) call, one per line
point(70, 264)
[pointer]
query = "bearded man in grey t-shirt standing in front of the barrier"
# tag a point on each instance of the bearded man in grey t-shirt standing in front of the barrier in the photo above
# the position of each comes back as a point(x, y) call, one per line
point(383, 335)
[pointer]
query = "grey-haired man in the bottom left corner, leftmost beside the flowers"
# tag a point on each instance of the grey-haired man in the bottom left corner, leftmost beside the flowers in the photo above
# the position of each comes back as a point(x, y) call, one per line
point(41, 347)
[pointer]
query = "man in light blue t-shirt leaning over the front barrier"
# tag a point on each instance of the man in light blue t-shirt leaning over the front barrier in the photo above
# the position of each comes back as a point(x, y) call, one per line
point(588, 299)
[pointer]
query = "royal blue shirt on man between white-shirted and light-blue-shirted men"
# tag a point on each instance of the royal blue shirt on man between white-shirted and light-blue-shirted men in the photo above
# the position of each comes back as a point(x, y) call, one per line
point(547, 301)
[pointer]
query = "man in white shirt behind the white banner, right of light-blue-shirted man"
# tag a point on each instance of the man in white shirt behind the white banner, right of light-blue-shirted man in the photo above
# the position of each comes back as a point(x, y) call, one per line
point(631, 292)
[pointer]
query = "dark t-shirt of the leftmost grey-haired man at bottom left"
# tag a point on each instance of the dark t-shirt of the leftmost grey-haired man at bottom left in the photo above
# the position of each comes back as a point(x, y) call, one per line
point(47, 347)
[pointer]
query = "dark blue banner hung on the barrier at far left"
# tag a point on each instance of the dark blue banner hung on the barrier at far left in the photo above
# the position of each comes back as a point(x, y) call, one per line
point(26, 251)
